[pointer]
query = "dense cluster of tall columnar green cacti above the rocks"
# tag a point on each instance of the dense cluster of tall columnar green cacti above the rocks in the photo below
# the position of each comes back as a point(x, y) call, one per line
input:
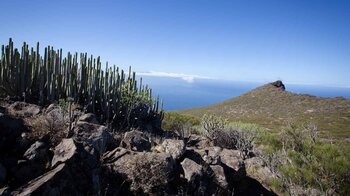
point(110, 93)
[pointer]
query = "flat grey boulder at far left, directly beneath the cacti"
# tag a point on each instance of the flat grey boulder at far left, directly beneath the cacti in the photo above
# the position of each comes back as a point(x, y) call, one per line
point(23, 109)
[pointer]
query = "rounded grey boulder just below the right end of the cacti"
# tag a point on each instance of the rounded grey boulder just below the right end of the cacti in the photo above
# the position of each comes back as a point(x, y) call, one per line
point(136, 140)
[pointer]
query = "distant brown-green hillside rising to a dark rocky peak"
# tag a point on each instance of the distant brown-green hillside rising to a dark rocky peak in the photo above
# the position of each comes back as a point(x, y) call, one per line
point(272, 106)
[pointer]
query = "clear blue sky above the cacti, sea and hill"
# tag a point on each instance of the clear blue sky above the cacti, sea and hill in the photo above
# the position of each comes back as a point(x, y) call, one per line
point(298, 41)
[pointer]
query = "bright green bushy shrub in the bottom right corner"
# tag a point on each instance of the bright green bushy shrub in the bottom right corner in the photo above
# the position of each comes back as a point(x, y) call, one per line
point(305, 160)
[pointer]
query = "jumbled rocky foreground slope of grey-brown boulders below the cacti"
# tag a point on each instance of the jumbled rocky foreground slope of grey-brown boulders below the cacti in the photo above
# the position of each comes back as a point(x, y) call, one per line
point(40, 155)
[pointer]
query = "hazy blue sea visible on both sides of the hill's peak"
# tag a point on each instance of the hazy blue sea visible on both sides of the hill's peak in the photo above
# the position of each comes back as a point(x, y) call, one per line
point(178, 94)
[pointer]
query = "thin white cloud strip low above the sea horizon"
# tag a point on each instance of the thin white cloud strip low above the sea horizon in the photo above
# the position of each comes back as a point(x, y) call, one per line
point(186, 77)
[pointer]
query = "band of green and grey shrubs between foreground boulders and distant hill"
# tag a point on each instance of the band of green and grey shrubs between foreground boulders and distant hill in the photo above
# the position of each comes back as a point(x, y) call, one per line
point(297, 155)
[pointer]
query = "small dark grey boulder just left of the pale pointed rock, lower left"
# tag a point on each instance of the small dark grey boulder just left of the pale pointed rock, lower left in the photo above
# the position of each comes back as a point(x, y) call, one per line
point(37, 152)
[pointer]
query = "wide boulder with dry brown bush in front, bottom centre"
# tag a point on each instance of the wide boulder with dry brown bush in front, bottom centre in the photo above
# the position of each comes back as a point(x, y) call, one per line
point(147, 173)
